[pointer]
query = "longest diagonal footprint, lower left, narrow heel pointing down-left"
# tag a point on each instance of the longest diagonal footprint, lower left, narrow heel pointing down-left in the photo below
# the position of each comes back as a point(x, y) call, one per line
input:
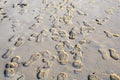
point(32, 59)
